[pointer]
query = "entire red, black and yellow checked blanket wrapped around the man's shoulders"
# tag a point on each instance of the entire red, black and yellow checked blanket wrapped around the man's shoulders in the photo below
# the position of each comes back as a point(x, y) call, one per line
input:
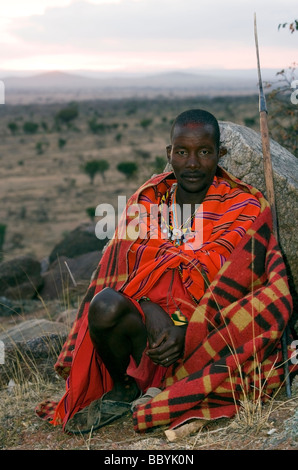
point(232, 345)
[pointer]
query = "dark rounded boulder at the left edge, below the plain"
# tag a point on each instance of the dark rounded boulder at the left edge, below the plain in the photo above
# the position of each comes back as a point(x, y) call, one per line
point(20, 278)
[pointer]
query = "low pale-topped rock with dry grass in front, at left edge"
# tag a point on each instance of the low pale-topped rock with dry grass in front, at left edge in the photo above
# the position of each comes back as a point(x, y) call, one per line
point(31, 349)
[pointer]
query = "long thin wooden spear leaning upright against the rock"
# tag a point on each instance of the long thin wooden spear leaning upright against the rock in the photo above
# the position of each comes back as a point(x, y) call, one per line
point(269, 182)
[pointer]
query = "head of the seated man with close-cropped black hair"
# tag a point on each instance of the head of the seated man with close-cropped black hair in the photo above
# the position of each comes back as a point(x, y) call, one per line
point(194, 152)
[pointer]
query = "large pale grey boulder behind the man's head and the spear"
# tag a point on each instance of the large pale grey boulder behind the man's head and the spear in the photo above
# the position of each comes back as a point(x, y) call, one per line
point(244, 159)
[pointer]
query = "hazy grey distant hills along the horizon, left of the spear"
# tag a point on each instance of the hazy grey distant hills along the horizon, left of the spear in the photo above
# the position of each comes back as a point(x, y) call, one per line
point(59, 85)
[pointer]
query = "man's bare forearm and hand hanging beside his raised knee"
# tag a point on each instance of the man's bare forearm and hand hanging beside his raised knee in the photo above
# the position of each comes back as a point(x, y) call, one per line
point(166, 341)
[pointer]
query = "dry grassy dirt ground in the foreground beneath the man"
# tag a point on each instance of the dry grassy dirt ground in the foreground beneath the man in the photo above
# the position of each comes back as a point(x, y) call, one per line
point(20, 429)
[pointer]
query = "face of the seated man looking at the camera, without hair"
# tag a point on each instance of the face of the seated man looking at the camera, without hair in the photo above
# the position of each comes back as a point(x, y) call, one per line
point(194, 156)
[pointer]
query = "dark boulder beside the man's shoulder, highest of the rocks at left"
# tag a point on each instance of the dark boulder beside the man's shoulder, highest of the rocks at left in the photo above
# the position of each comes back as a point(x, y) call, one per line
point(79, 241)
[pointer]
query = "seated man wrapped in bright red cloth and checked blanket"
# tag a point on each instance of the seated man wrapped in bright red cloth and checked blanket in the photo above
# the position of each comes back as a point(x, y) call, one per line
point(192, 308)
